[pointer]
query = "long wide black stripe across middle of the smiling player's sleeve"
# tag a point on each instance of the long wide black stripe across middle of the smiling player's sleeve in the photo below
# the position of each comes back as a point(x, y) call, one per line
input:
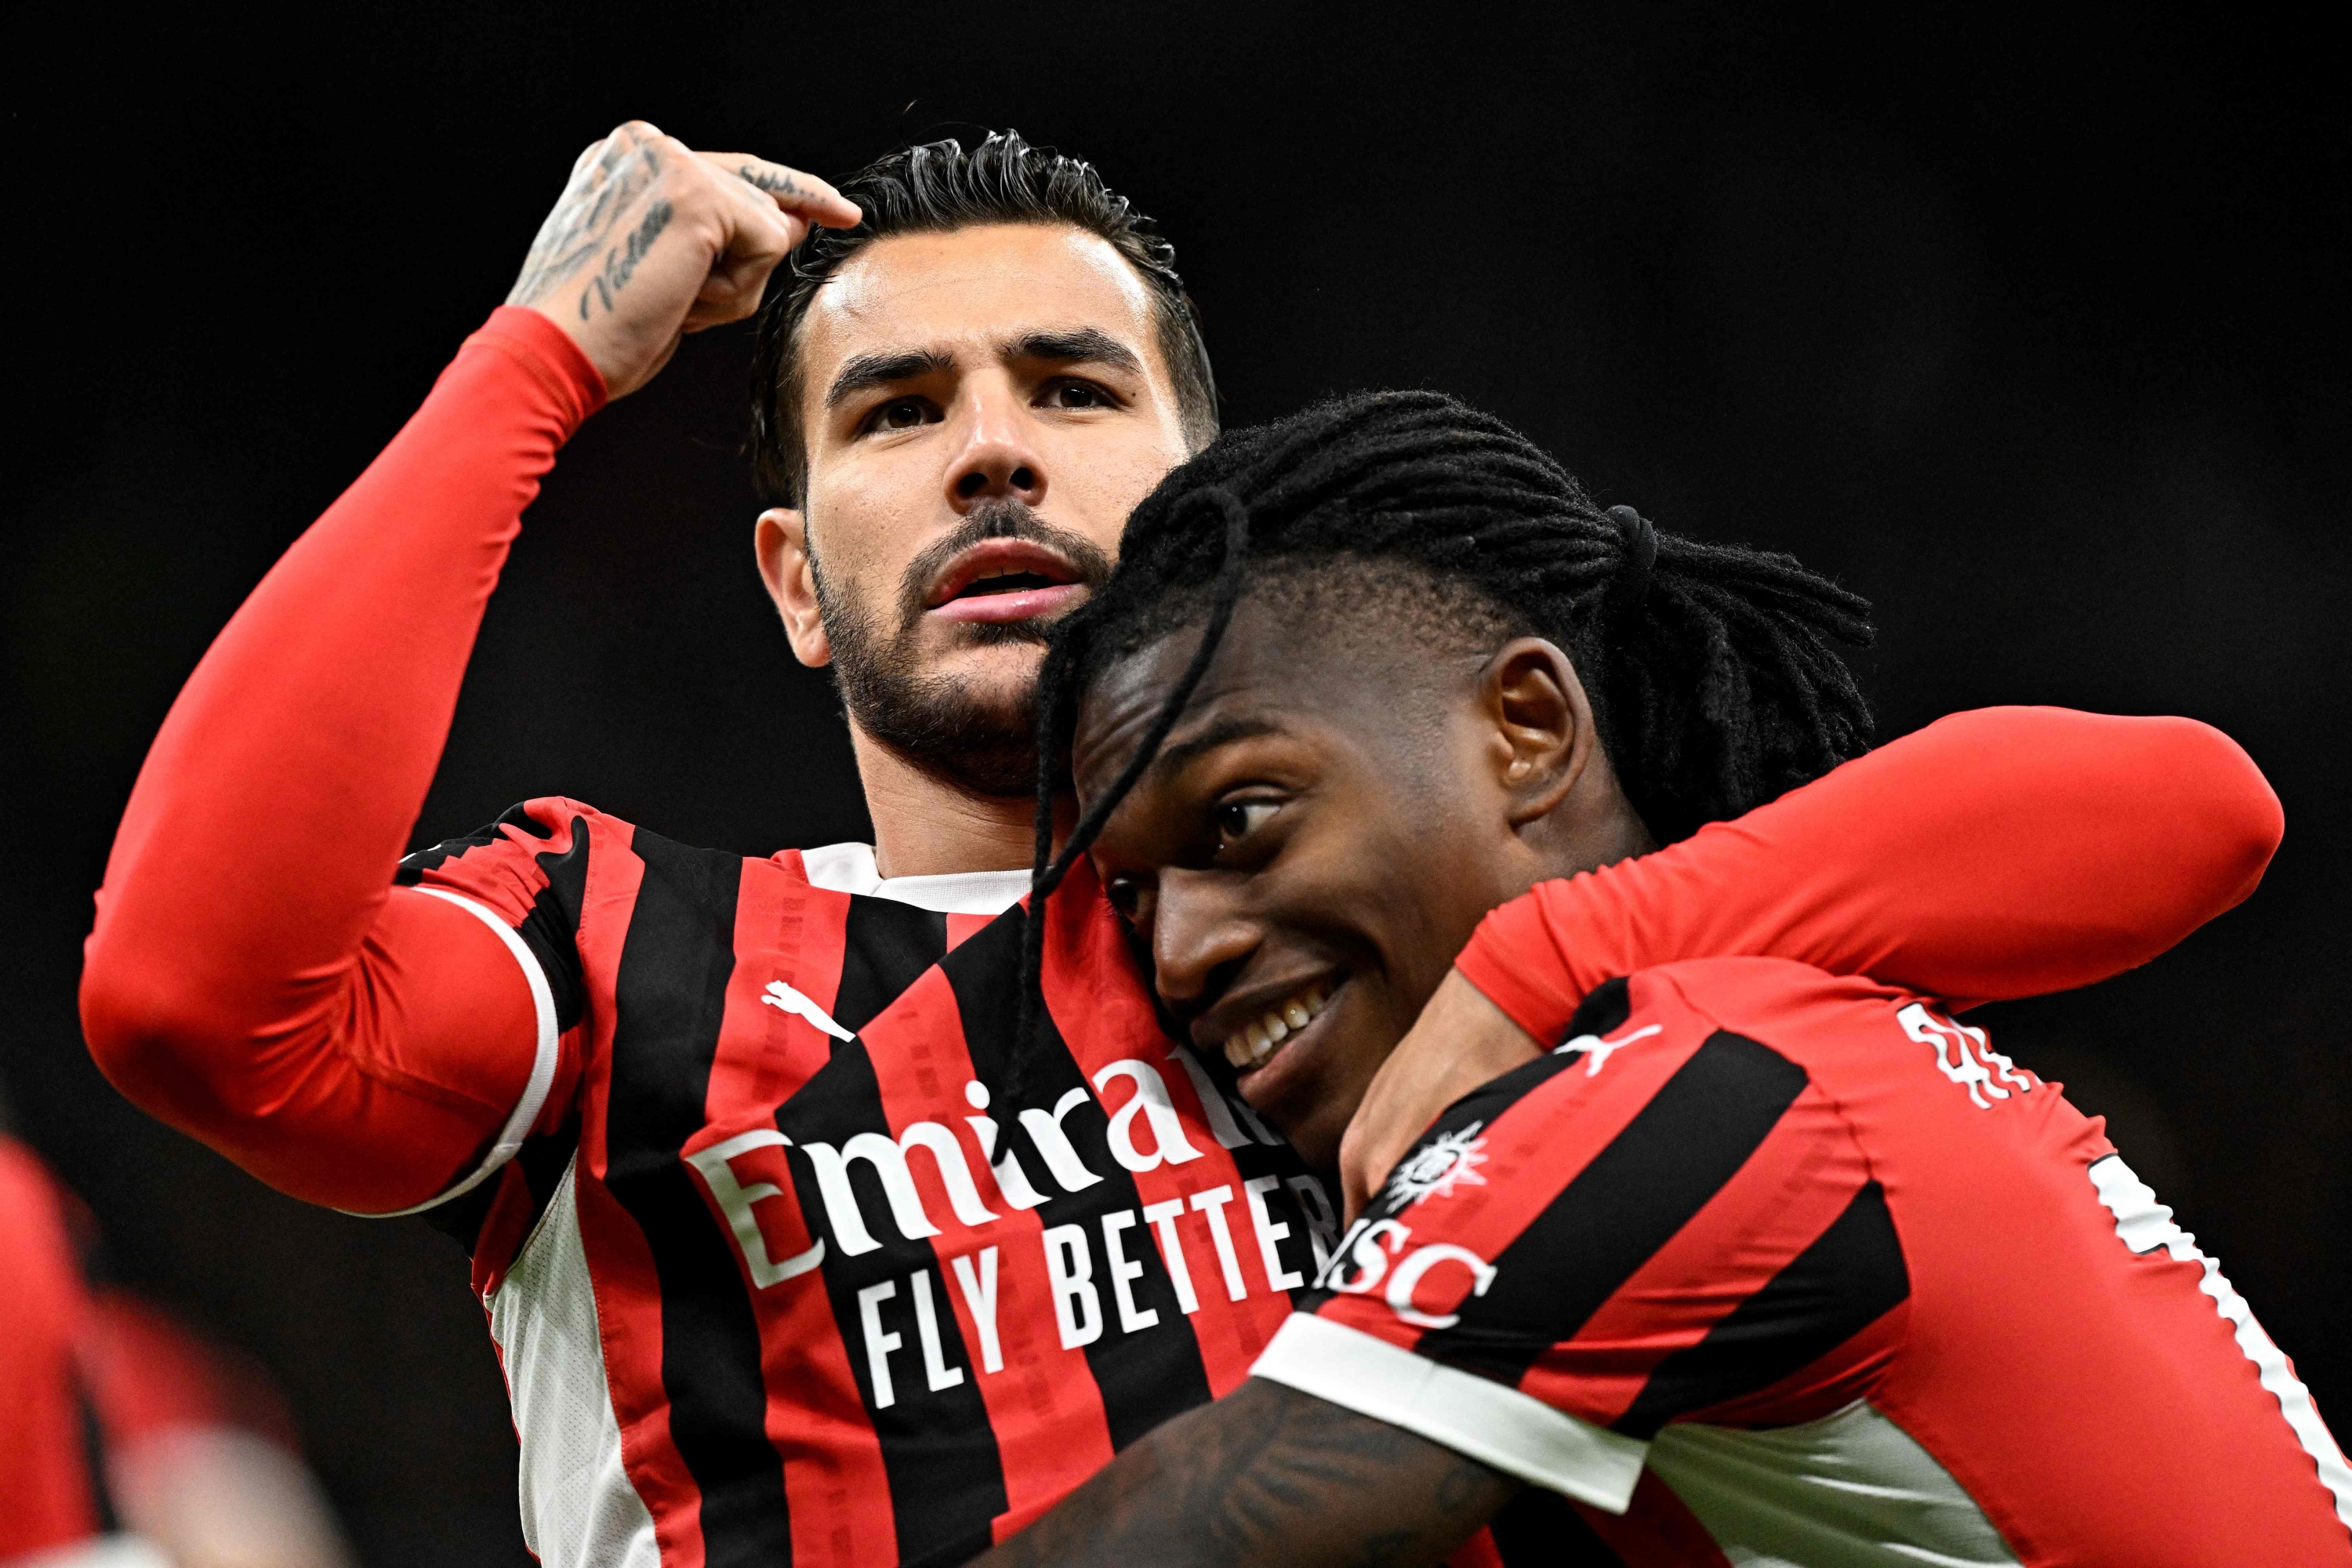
point(1626, 1202)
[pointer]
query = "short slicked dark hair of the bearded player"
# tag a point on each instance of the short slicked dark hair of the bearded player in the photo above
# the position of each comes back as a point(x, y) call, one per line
point(937, 189)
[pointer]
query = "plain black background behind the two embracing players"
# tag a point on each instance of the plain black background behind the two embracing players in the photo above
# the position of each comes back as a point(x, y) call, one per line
point(2031, 333)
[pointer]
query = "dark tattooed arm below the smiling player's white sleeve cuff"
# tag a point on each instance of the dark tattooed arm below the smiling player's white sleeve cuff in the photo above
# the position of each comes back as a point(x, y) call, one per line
point(1269, 1475)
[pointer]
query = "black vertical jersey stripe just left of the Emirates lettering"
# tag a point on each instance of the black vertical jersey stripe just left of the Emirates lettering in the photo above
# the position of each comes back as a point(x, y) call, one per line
point(669, 1005)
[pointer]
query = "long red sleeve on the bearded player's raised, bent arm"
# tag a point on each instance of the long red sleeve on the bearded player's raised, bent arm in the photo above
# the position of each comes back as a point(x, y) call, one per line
point(255, 979)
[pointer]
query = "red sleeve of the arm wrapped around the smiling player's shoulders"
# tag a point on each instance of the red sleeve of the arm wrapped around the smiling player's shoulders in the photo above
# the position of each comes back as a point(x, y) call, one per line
point(1993, 855)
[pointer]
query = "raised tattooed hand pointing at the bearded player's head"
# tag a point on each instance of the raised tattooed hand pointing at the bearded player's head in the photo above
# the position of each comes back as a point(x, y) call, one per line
point(655, 241)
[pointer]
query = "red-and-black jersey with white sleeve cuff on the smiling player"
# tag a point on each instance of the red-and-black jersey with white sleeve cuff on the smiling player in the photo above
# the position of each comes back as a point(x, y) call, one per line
point(1833, 1273)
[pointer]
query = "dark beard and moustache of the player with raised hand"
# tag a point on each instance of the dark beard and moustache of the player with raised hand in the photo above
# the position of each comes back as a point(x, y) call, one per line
point(977, 737)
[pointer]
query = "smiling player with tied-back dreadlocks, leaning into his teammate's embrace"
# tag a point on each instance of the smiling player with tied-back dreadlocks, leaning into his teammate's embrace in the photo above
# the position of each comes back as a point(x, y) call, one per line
point(1753, 1264)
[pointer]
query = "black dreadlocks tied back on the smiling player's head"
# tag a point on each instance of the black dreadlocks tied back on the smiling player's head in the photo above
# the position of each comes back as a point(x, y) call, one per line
point(1711, 669)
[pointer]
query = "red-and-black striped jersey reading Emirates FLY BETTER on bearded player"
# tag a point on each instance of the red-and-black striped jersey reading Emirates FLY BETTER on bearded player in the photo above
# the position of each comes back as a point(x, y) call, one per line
point(784, 1271)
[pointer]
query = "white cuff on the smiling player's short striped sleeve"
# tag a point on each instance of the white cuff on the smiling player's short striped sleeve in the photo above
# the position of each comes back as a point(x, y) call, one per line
point(1469, 1414)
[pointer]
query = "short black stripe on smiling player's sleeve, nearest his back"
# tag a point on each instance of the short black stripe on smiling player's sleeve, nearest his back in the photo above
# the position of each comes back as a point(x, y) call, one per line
point(1838, 1287)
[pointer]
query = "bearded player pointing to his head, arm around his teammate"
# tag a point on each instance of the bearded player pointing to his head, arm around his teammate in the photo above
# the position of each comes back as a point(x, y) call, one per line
point(791, 1245)
